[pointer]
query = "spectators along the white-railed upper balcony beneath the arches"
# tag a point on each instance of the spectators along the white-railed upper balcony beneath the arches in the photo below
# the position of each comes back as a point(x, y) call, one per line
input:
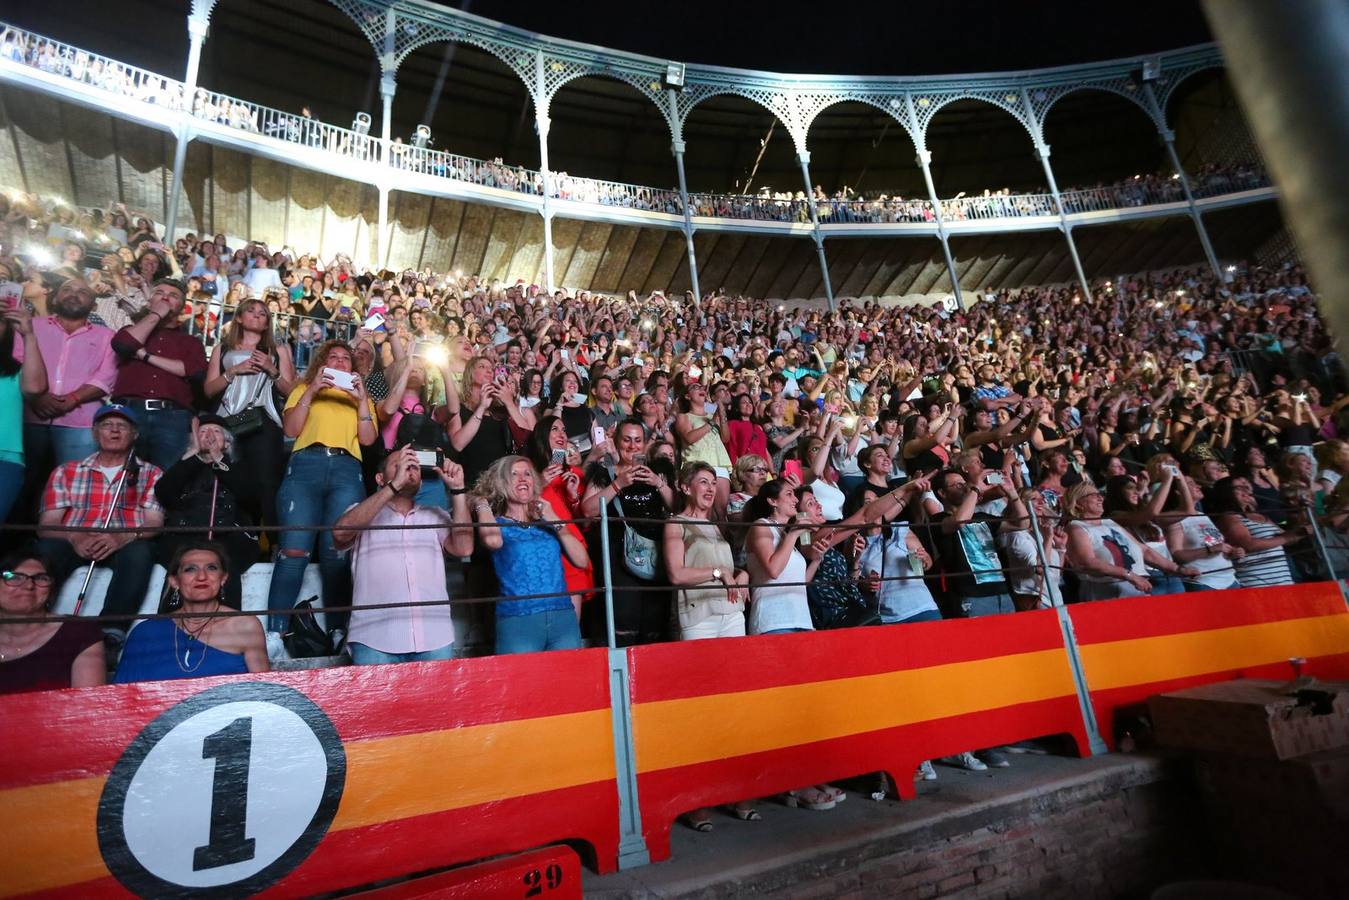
point(844, 206)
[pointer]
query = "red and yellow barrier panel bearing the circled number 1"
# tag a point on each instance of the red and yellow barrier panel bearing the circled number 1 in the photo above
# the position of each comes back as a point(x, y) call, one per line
point(306, 782)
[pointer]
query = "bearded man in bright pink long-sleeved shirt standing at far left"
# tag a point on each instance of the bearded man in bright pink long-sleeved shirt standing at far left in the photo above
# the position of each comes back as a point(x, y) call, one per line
point(82, 368)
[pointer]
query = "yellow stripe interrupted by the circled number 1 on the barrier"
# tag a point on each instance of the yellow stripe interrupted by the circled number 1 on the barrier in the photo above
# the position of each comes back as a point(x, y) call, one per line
point(49, 836)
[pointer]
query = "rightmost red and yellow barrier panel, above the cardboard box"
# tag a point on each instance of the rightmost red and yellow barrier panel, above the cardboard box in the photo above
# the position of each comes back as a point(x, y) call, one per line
point(1145, 646)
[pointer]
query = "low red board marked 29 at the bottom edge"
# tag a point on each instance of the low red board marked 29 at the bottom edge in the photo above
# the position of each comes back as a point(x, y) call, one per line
point(550, 874)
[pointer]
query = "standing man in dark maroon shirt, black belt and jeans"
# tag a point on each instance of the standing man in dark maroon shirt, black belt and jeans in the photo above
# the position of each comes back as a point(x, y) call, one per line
point(160, 368)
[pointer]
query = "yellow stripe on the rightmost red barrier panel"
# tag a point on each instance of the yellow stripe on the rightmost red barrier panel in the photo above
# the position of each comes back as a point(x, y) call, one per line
point(1176, 656)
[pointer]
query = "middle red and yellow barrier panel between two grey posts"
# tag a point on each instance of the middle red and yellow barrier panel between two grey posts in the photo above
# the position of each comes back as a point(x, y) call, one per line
point(721, 721)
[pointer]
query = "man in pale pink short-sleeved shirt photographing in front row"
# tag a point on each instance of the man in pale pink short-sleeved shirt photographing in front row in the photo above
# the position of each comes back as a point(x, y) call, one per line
point(404, 563)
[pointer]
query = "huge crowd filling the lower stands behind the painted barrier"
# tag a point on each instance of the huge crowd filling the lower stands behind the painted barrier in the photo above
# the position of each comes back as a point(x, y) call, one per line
point(766, 469)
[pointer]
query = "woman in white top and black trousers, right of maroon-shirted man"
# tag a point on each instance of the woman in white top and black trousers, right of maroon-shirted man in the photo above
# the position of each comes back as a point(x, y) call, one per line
point(245, 373)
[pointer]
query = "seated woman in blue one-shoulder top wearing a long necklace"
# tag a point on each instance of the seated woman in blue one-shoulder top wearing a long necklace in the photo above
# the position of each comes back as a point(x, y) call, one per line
point(199, 643)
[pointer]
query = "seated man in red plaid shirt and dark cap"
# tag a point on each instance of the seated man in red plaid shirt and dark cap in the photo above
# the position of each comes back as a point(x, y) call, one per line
point(80, 495)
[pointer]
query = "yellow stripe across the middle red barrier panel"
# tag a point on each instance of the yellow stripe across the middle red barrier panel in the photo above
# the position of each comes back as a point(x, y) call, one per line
point(691, 731)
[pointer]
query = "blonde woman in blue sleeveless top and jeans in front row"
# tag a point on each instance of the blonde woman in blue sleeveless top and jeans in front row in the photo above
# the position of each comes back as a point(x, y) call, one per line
point(527, 544)
